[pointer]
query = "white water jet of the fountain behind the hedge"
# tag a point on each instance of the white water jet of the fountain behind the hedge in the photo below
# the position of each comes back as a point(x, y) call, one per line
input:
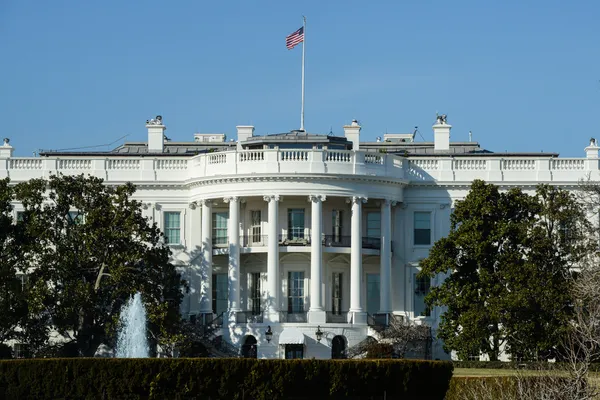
point(132, 341)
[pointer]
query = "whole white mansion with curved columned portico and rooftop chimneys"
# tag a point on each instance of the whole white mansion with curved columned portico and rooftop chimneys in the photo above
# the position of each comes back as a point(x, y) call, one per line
point(296, 233)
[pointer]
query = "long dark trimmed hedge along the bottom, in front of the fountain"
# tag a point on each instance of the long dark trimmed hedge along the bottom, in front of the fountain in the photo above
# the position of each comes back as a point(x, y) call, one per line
point(89, 378)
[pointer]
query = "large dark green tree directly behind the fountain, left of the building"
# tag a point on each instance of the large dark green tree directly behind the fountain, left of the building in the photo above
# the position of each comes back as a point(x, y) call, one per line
point(94, 249)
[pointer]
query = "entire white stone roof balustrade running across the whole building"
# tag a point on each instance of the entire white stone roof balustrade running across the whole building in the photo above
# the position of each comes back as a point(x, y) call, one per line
point(300, 161)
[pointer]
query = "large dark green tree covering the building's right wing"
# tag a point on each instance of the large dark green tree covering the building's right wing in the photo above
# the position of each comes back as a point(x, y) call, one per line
point(507, 260)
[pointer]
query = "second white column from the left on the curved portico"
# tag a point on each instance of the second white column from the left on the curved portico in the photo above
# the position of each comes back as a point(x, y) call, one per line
point(233, 233)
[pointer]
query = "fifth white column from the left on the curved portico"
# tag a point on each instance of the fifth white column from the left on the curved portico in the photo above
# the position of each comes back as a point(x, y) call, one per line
point(358, 315)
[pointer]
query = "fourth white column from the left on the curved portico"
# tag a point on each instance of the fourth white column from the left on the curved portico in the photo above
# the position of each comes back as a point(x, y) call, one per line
point(316, 313)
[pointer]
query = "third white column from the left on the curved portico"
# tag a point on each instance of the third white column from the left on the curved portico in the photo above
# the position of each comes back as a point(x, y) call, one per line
point(272, 311)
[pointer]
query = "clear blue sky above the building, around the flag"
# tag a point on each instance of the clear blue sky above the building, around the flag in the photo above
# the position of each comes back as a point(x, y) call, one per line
point(522, 75)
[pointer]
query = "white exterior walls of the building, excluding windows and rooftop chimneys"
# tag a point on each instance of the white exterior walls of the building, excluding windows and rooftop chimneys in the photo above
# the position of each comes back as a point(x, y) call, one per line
point(430, 184)
